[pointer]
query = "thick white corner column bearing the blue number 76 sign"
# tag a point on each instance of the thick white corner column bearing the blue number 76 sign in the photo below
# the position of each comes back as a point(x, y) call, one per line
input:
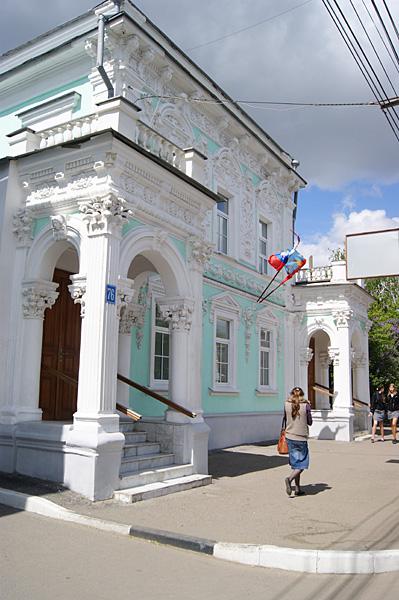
point(92, 467)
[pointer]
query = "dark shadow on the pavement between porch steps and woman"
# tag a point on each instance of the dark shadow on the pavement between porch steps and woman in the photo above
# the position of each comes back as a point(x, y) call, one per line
point(224, 463)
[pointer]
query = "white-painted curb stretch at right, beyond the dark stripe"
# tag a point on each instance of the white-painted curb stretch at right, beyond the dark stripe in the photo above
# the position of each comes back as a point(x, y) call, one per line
point(310, 561)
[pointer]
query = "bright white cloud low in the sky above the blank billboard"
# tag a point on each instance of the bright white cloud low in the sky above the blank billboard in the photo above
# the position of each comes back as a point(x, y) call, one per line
point(355, 222)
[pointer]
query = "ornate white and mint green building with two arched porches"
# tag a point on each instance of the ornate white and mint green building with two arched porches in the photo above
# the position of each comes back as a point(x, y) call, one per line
point(136, 219)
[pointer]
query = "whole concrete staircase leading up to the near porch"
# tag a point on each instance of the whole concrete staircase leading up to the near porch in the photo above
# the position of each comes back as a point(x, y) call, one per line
point(146, 472)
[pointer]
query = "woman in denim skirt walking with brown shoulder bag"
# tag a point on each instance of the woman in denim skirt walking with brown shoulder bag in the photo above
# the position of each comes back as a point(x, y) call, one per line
point(298, 418)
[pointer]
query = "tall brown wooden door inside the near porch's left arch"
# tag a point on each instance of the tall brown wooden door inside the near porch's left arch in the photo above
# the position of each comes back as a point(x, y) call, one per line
point(60, 354)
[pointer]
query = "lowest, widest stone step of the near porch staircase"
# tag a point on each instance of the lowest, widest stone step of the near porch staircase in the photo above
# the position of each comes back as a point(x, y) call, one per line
point(161, 488)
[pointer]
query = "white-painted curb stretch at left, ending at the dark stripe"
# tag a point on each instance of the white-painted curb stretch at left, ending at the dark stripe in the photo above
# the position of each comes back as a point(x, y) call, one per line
point(42, 506)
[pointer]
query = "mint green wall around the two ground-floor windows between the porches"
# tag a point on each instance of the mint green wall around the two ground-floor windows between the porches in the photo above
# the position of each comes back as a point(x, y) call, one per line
point(247, 372)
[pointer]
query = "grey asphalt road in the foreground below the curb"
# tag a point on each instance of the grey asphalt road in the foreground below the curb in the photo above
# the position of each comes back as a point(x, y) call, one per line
point(44, 559)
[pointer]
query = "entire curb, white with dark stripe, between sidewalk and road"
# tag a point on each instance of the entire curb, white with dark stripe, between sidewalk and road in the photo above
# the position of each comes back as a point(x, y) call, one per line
point(273, 557)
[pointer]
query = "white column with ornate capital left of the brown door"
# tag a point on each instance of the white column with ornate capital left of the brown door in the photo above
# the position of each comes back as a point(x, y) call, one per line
point(37, 295)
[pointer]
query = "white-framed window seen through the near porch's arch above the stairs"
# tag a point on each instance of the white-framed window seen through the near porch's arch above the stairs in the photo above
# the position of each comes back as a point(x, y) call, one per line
point(160, 350)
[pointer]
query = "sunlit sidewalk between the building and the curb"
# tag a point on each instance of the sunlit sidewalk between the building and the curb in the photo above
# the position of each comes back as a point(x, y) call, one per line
point(351, 502)
